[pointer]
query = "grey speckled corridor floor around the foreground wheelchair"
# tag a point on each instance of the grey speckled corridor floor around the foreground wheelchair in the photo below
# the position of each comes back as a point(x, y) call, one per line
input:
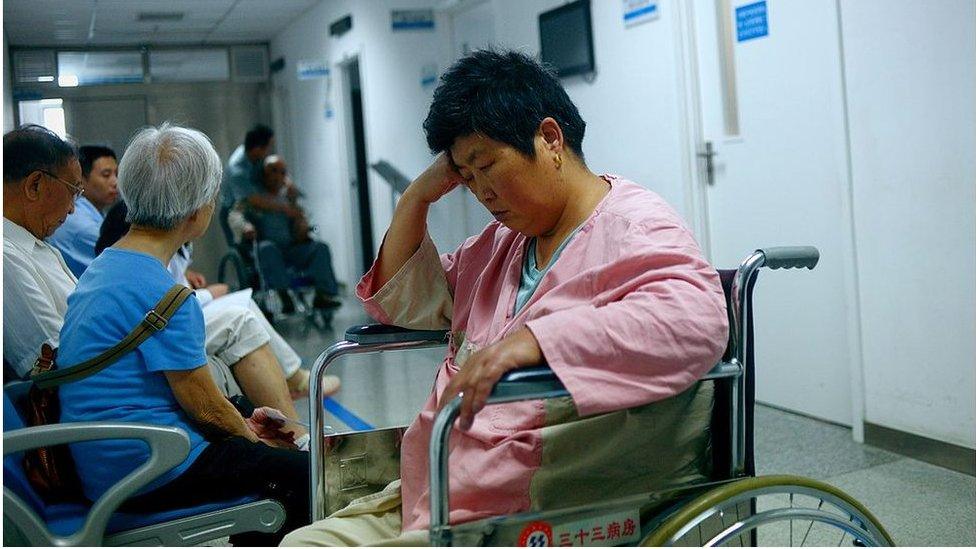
point(920, 504)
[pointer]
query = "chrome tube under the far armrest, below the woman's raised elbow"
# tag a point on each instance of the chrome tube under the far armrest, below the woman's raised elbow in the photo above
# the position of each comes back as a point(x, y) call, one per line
point(316, 419)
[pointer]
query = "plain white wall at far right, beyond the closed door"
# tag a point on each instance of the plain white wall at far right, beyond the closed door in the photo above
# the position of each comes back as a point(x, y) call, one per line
point(911, 82)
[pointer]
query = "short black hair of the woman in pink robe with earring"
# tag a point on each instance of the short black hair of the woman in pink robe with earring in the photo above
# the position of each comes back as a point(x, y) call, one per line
point(503, 95)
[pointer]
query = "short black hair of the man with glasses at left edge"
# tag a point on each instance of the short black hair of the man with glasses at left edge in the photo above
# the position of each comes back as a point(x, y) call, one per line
point(30, 148)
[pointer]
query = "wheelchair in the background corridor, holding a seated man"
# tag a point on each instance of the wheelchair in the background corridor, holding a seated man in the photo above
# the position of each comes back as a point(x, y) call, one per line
point(240, 268)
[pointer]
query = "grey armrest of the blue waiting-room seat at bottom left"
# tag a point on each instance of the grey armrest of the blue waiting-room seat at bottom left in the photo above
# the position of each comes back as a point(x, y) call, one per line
point(168, 447)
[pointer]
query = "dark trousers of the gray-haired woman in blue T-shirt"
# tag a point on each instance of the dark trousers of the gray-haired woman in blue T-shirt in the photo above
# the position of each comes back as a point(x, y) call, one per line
point(235, 467)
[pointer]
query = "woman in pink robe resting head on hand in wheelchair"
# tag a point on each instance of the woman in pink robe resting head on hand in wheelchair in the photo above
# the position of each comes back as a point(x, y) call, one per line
point(591, 274)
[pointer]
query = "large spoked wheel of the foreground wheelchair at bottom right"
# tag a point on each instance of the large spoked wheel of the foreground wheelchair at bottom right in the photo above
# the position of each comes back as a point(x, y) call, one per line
point(777, 510)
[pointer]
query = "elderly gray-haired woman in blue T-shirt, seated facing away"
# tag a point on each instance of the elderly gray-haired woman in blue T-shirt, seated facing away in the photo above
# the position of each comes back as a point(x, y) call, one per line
point(170, 178)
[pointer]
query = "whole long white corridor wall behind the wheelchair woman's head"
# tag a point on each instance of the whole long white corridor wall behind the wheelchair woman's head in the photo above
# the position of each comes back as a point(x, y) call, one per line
point(631, 108)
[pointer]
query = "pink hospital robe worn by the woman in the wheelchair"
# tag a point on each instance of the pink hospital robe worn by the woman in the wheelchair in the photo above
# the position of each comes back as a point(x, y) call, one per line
point(629, 314)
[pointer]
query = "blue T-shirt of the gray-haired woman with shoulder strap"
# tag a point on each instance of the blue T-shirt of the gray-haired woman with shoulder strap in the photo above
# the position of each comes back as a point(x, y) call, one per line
point(112, 296)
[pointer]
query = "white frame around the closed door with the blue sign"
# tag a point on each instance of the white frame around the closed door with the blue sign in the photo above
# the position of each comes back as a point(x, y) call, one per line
point(696, 197)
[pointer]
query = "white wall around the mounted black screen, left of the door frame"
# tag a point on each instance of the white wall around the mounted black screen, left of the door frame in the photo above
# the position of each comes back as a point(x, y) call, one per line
point(631, 109)
